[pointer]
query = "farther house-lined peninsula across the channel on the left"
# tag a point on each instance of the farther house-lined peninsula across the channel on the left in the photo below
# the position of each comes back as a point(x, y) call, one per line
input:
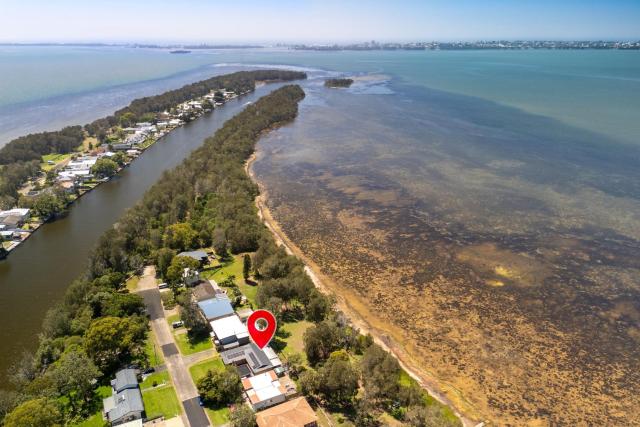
point(41, 174)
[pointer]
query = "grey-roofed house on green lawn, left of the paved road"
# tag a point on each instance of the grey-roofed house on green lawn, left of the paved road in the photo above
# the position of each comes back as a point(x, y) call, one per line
point(125, 404)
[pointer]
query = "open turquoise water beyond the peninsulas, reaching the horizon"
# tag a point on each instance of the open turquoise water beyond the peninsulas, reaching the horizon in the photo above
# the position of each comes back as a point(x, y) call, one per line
point(594, 90)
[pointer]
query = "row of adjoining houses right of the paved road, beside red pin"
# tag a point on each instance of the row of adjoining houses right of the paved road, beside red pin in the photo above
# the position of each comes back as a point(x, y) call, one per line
point(267, 387)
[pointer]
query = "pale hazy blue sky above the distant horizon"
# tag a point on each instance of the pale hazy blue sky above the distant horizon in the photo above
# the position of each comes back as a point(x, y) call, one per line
point(315, 20)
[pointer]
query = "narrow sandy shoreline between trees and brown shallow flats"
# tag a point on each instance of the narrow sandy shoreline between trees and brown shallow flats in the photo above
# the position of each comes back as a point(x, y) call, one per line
point(350, 305)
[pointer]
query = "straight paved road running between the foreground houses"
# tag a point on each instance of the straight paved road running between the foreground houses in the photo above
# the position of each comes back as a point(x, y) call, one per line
point(182, 381)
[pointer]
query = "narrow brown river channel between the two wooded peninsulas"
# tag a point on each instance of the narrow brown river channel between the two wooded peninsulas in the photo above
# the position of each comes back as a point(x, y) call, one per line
point(35, 276)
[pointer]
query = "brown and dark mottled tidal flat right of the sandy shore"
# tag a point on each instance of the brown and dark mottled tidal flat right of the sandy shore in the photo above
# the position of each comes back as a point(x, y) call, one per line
point(500, 248)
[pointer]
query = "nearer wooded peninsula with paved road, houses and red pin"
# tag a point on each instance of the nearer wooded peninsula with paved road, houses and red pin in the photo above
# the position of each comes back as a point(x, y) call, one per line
point(195, 257)
